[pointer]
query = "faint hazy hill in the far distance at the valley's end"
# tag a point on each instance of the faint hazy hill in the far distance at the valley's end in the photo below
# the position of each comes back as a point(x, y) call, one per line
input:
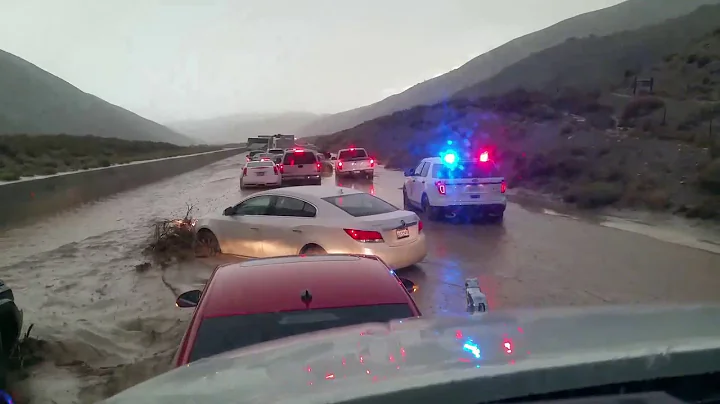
point(237, 128)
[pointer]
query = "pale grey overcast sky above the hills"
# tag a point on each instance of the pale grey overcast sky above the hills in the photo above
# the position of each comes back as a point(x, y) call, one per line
point(186, 59)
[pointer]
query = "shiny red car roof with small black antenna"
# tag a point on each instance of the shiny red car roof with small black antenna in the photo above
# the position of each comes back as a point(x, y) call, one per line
point(276, 284)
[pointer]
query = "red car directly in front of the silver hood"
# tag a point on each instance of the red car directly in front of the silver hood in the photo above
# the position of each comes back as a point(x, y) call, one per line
point(265, 299)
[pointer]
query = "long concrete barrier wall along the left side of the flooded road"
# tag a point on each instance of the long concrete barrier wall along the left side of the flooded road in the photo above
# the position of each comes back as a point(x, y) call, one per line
point(31, 198)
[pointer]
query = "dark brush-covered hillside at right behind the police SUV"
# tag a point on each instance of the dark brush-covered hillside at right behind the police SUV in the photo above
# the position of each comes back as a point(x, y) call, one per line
point(594, 145)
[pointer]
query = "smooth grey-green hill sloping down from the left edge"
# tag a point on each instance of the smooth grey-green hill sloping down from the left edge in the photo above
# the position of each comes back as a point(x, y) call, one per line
point(34, 101)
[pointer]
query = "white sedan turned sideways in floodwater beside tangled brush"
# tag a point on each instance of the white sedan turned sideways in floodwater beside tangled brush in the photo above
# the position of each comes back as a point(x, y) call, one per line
point(314, 221)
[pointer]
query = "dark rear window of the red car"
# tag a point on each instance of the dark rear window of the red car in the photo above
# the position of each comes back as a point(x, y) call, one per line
point(221, 334)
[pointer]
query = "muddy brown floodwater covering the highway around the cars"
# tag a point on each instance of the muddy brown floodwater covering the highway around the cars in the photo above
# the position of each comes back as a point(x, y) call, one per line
point(107, 326)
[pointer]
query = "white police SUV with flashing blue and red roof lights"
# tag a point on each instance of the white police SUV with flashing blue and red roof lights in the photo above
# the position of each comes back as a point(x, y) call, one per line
point(447, 187)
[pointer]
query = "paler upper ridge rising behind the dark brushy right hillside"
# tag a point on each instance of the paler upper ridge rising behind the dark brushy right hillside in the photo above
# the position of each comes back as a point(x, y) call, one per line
point(629, 15)
